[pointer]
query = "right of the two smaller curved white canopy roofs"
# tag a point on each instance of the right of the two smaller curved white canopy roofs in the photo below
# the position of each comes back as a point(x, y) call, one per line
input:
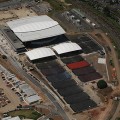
point(66, 47)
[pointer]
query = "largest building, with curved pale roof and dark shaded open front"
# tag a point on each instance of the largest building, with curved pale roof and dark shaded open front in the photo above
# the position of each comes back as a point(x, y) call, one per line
point(36, 31)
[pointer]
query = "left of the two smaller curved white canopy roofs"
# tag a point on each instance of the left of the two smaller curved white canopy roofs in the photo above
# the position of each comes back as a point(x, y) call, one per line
point(39, 53)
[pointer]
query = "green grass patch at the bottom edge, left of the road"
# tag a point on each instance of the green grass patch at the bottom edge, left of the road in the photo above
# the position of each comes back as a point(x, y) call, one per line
point(30, 114)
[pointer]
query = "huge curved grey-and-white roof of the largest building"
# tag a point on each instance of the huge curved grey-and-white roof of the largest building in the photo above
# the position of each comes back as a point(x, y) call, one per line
point(35, 28)
